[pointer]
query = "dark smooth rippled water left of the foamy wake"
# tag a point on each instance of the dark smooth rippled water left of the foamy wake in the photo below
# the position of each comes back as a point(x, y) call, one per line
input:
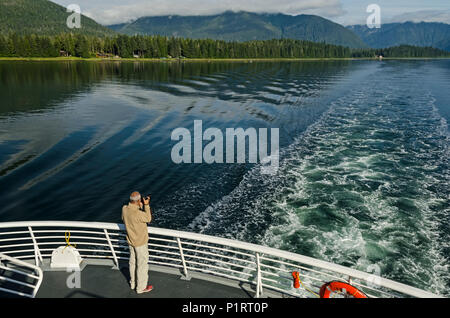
point(76, 137)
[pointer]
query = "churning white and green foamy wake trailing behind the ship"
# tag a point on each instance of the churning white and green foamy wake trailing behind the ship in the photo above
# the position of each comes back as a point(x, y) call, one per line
point(358, 188)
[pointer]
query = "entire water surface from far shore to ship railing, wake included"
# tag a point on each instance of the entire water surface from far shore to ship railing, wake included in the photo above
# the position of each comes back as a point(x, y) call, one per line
point(364, 176)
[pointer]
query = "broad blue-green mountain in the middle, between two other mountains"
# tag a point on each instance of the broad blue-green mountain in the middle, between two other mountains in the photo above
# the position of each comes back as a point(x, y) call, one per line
point(244, 26)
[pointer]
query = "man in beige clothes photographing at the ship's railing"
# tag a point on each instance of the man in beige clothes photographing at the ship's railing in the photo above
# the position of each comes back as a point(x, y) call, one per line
point(136, 215)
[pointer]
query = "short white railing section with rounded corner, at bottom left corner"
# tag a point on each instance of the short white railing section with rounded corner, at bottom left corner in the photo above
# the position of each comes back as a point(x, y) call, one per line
point(22, 278)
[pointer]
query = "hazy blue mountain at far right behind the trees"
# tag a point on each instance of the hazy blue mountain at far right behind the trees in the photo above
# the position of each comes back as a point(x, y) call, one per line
point(419, 34)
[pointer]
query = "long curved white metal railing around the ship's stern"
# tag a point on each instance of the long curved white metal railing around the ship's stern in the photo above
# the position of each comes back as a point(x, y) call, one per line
point(262, 267)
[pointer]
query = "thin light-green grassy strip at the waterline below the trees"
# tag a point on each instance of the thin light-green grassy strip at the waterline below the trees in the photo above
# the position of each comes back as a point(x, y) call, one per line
point(74, 59)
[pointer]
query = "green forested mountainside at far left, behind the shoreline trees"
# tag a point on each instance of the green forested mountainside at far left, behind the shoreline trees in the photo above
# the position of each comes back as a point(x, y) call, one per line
point(42, 17)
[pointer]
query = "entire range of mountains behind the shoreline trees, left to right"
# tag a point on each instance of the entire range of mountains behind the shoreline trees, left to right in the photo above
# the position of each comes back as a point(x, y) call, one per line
point(44, 17)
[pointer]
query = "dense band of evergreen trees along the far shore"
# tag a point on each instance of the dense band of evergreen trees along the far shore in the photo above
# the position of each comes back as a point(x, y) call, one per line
point(124, 46)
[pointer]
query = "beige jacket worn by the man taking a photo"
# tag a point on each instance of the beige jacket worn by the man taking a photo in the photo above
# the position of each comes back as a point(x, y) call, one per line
point(136, 224)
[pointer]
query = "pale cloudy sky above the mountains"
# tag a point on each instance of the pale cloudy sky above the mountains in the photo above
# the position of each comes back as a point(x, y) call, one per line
point(345, 12)
